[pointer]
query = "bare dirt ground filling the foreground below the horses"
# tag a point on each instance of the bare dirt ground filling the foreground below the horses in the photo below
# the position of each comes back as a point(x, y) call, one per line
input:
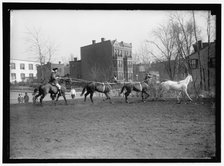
point(150, 130)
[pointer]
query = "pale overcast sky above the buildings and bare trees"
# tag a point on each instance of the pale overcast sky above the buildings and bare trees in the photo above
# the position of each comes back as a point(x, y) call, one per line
point(72, 29)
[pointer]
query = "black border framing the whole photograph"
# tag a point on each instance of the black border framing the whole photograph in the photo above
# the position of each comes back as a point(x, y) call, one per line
point(7, 7)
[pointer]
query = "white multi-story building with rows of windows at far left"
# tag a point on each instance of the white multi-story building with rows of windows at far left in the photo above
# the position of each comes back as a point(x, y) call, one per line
point(22, 70)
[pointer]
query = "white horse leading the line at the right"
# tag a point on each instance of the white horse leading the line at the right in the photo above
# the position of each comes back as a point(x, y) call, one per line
point(180, 86)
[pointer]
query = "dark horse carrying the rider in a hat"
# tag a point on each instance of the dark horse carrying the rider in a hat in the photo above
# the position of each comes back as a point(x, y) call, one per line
point(49, 88)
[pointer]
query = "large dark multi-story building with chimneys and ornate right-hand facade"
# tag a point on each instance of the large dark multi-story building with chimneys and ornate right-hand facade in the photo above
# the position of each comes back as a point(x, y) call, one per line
point(100, 61)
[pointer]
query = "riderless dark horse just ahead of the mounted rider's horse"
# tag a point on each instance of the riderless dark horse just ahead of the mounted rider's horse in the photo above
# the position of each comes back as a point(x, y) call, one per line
point(91, 87)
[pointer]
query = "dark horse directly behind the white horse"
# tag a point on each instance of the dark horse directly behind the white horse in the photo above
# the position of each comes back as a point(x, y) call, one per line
point(142, 87)
